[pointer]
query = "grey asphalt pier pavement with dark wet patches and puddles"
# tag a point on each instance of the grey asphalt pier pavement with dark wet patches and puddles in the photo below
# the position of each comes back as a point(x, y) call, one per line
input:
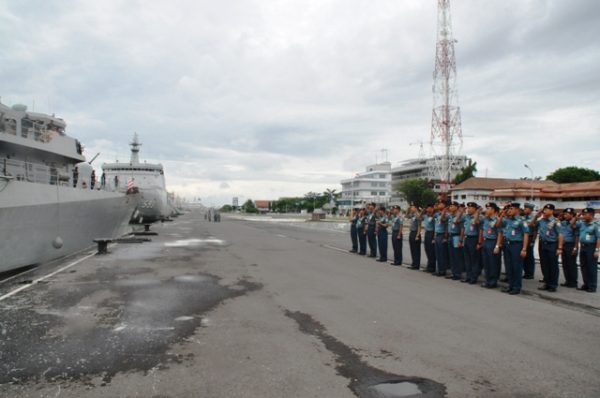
point(245, 308)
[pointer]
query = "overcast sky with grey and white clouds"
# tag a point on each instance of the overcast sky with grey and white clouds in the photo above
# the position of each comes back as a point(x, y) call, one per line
point(262, 98)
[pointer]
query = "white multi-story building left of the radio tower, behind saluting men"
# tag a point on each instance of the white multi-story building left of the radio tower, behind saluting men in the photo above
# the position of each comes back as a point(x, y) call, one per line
point(372, 185)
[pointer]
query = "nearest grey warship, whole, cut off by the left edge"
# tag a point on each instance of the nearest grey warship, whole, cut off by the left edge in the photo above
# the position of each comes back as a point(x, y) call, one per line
point(50, 203)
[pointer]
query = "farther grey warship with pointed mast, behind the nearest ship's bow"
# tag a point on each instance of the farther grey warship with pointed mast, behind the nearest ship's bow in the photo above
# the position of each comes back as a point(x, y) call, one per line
point(146, 178)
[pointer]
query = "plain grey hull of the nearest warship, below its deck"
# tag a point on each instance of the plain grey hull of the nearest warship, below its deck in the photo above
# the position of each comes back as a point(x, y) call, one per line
point(33, 216)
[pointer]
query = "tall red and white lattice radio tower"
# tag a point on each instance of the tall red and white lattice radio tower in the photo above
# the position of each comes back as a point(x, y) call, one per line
point(446, 129)
